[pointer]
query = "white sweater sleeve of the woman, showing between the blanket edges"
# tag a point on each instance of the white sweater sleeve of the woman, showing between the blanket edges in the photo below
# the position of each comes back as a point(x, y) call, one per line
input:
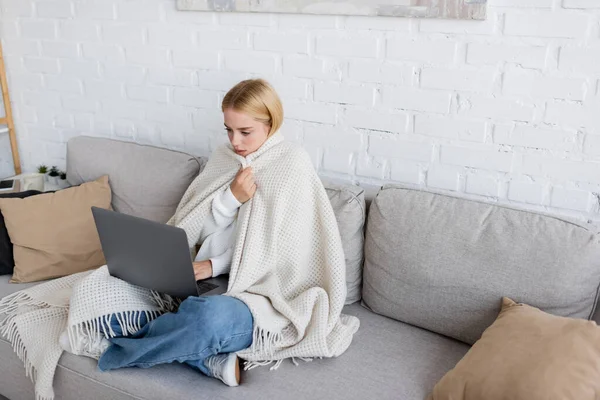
point(217, 236)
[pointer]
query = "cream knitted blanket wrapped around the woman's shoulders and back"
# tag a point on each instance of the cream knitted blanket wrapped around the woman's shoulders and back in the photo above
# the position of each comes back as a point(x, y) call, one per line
point(288, 264)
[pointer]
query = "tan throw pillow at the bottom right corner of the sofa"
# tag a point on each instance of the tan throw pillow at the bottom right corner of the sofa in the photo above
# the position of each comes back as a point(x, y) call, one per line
point(527, 354)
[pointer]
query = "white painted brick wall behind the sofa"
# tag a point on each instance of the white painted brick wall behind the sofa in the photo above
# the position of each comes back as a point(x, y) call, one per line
point(508, 108)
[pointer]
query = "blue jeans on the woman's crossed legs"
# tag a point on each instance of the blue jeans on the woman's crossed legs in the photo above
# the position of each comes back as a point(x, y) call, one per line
point(201, 327)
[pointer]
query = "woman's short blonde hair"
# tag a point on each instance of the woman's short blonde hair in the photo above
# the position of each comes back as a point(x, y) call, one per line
point(257, 98)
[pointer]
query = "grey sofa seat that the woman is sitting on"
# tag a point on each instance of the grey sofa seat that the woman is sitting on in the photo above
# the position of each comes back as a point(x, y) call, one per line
point(387, 359)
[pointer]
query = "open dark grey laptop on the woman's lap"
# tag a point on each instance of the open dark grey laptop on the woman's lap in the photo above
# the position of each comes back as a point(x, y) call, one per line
point(151, 255)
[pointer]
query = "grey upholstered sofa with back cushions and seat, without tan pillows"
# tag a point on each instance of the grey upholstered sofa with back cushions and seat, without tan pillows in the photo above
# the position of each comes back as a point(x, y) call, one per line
point(435, 269)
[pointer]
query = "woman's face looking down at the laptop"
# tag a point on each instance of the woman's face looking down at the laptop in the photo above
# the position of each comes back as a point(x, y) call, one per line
point(245, 133)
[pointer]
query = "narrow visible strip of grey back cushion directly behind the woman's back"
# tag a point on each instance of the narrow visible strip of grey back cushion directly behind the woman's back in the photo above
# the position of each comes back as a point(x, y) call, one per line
point(348, 202)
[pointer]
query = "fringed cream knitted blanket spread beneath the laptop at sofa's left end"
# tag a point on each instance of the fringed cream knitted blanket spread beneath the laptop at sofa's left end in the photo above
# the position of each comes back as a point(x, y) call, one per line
point(74, 311)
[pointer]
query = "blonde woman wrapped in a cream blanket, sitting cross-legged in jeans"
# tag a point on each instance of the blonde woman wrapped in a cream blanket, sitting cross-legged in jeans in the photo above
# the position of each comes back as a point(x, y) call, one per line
point(286, 284)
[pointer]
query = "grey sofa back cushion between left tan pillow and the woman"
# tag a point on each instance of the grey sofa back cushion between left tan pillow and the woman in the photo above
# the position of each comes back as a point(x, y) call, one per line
point(147, 181)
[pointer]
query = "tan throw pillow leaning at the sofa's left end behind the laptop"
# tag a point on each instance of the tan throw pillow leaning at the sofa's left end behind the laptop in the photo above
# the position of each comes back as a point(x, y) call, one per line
point(54, 234)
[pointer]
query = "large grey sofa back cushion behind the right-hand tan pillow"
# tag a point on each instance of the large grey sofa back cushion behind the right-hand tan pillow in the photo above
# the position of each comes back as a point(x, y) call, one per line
point(444, 263)
